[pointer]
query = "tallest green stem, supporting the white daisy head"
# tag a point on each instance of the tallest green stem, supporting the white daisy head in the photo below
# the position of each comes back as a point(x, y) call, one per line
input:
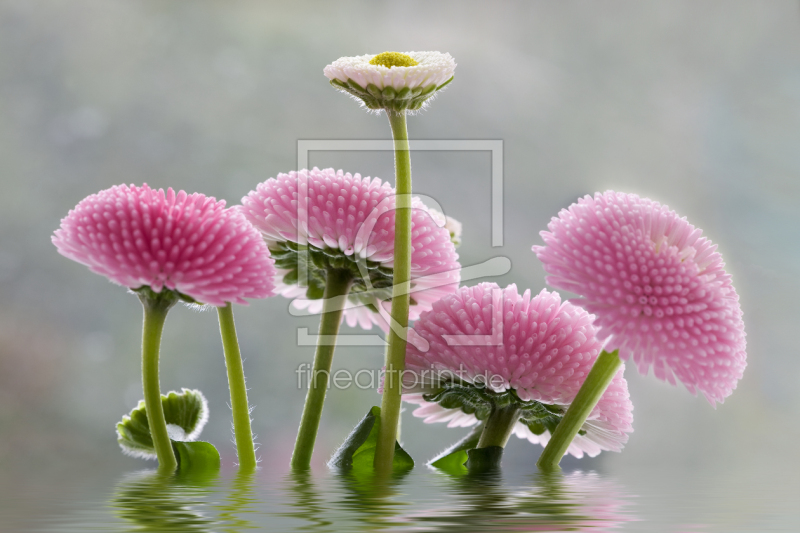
point(396, 351)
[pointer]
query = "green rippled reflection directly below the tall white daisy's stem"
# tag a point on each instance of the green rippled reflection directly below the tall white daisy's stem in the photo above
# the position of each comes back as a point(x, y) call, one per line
point(373, 497)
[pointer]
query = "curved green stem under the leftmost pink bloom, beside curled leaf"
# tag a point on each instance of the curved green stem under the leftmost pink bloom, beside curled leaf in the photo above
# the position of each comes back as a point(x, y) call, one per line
point(155, 313)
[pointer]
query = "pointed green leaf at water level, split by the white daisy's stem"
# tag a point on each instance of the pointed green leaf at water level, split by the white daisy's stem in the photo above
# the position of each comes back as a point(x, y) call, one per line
point(358, 450)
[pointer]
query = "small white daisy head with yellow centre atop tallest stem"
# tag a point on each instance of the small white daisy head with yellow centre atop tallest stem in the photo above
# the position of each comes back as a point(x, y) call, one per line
point(391, 80)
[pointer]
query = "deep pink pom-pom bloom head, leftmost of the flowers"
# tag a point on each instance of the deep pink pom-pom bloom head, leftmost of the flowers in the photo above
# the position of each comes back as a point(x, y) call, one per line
point(191, 244)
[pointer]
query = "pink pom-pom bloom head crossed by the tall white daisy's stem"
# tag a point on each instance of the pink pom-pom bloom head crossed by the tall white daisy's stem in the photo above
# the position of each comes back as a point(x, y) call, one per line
point(347, 221)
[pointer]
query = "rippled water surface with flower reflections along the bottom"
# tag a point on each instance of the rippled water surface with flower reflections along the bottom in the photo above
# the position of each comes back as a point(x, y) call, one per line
point(423, 500)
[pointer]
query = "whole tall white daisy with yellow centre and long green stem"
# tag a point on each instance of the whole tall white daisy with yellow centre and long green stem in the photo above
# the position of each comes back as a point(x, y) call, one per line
point(396, 83)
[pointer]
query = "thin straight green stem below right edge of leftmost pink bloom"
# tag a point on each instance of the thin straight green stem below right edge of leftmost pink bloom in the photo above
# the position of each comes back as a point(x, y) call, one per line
point(241, 409)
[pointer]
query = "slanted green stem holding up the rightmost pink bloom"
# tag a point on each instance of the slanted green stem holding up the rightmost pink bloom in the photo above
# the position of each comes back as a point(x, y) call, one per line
point(592, 389)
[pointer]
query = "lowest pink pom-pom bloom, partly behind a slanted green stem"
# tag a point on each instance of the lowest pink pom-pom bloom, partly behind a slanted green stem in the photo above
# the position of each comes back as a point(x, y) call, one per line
point(498, 340)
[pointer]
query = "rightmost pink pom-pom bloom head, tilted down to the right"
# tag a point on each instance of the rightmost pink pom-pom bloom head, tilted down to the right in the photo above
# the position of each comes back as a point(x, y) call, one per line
point(657, 287)
